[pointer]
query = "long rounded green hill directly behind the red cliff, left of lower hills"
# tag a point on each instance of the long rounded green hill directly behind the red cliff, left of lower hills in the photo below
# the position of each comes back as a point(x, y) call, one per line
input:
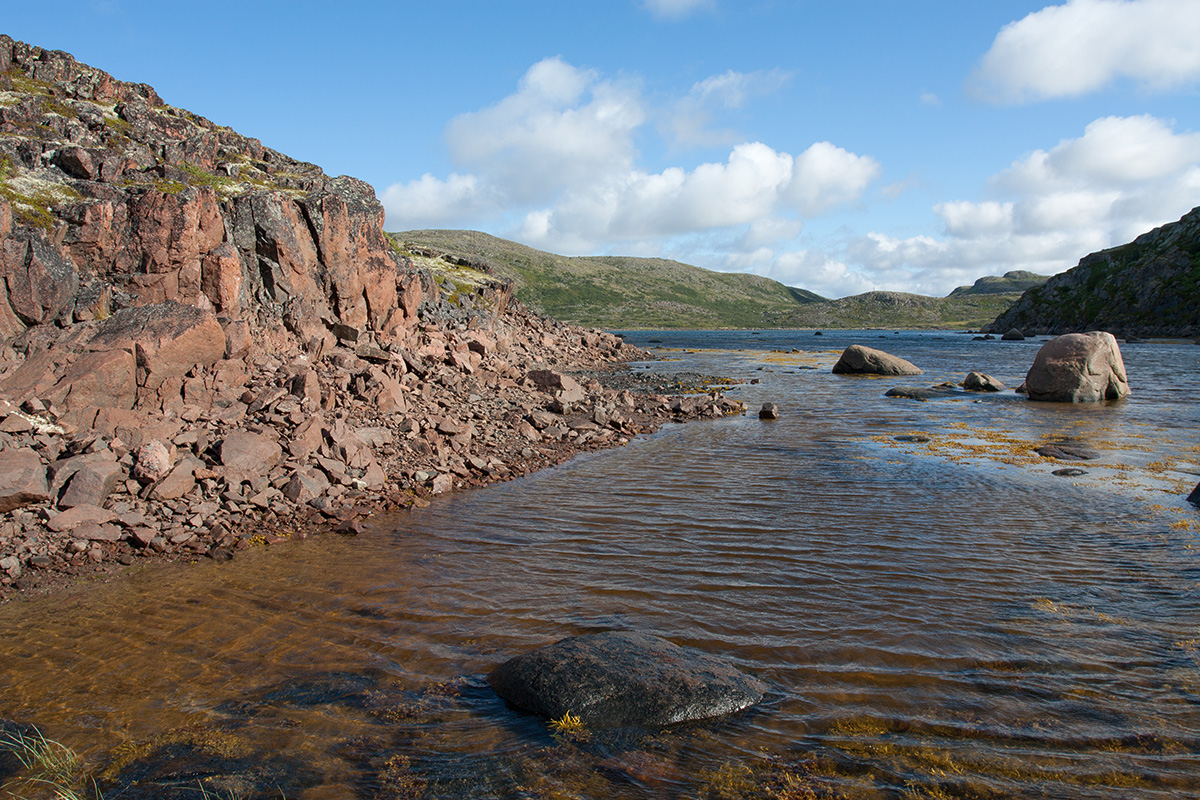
point(614, 292)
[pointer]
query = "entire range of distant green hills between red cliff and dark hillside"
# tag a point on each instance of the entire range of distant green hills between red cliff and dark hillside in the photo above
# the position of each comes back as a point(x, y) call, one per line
point(646, 293)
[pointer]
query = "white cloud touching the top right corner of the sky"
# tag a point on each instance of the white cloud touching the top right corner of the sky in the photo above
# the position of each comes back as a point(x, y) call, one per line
point(1085, 45)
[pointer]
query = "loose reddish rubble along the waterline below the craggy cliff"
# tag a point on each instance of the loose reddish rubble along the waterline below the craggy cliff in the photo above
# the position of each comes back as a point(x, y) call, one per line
point(225, 486)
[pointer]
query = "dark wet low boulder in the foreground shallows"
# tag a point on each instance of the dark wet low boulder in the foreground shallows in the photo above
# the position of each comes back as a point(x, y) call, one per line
point(623, 678)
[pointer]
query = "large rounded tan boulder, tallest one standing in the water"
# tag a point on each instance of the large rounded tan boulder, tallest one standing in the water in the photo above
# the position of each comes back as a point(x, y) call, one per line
point(1078, 369)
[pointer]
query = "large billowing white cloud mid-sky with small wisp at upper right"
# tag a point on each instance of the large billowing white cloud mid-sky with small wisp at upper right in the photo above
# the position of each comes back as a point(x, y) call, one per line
point(556, 166)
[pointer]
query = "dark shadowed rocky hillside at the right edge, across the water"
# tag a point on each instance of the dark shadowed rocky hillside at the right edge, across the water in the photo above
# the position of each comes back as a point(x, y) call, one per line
point(1150, 287)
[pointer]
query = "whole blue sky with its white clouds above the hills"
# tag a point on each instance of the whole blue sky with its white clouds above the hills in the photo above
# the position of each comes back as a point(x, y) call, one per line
point(838, 147)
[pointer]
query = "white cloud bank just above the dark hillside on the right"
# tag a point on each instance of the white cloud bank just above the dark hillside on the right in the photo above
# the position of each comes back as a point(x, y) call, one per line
point(1120, 179)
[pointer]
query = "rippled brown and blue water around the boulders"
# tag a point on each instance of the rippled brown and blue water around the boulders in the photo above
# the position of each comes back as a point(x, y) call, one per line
point(935, 619)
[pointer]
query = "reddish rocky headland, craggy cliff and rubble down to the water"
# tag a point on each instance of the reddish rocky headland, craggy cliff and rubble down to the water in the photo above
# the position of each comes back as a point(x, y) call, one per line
point(207, 345)
